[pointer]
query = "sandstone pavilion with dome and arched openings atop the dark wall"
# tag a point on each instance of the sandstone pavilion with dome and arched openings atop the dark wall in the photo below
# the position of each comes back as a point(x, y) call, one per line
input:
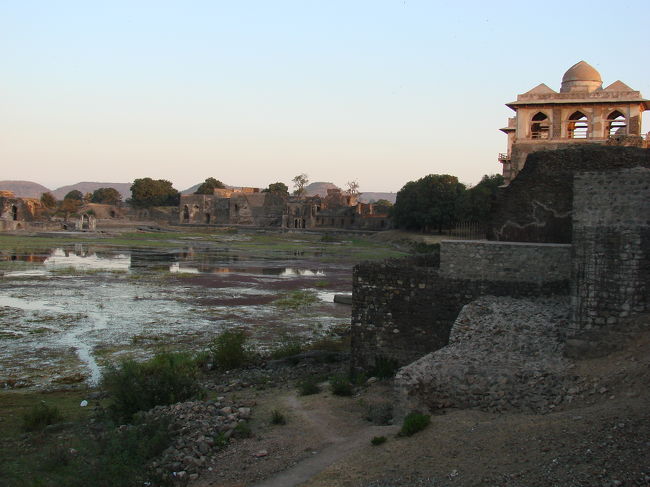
point(582, 112)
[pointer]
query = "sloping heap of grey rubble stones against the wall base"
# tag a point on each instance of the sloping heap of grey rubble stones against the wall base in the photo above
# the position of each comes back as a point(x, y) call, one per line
point(503, 354)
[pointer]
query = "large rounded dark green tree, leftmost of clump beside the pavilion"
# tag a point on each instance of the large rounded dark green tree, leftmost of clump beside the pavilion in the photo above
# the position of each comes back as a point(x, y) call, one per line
point(432, 202)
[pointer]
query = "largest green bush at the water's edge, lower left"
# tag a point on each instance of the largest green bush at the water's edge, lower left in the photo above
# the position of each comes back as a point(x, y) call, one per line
point(165, 379)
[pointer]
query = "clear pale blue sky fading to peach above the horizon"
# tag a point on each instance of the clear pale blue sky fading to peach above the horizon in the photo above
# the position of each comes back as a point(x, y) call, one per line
point(253, 92)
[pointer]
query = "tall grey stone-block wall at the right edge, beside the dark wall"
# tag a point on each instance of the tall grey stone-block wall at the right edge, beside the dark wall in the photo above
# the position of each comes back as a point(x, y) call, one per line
point(611, 239)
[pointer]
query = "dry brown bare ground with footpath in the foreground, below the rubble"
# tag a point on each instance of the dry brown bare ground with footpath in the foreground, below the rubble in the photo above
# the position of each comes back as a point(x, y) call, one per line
point(601, 439)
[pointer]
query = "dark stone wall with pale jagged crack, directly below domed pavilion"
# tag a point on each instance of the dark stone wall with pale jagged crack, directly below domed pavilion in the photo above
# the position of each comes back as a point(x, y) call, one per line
point(537, 205)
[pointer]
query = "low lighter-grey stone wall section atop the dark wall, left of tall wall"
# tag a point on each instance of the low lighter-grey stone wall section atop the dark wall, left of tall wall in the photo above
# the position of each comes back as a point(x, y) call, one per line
point(489, 260)
